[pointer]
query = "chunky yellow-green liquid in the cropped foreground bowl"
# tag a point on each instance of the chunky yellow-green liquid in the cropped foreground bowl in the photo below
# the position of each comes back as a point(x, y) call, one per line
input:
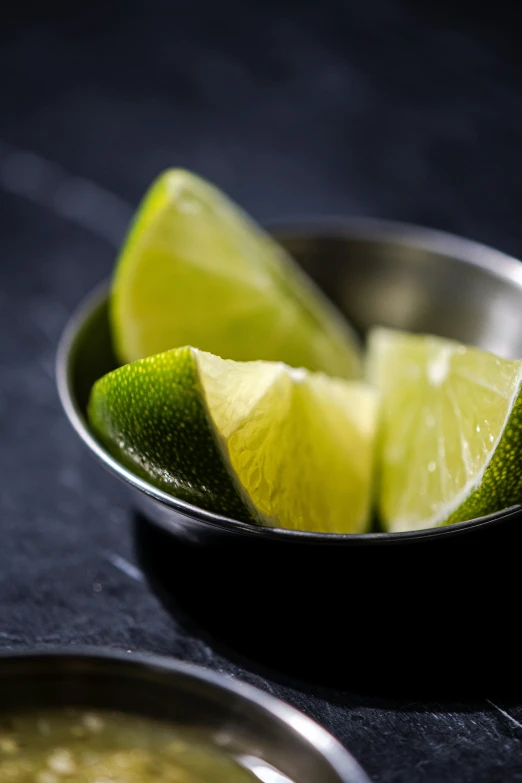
point(73, 746)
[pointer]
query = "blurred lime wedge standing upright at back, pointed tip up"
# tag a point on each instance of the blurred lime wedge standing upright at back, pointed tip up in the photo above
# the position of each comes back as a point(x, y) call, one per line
point(195, 270)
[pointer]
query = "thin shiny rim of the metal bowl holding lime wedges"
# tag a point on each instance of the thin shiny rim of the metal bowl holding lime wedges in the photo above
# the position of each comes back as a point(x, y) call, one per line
point(465, 251)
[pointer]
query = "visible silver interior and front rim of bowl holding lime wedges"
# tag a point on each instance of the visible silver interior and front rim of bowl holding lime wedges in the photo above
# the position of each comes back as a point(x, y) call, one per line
point(377, 273)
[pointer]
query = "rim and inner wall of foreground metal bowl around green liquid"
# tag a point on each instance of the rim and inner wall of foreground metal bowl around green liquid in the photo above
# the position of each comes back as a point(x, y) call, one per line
point(262, 732)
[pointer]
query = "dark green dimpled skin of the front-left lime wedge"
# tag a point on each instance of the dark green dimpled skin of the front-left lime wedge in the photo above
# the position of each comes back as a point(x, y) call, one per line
point(159, 420)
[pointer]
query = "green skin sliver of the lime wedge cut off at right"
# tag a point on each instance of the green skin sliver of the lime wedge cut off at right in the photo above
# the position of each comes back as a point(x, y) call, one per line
point(501, 485)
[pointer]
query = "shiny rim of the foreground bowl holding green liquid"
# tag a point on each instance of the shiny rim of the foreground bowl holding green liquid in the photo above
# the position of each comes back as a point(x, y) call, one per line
point(309, 731)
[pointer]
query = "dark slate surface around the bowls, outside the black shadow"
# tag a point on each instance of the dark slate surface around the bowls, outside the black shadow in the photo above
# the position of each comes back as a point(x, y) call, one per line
point(378, 108)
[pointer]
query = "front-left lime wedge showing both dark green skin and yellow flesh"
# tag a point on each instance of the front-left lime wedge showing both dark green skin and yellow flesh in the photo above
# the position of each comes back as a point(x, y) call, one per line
point(256, 441)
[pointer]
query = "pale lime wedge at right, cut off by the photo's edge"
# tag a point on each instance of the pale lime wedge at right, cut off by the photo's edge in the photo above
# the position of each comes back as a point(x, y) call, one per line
point(450, 441)
